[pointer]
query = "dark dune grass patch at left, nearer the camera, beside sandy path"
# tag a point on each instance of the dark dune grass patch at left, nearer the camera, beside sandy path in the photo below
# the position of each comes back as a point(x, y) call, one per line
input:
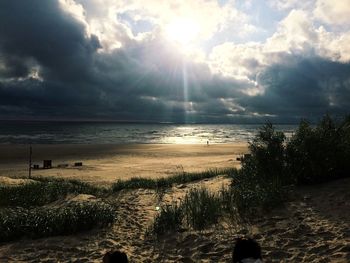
point(44, 221)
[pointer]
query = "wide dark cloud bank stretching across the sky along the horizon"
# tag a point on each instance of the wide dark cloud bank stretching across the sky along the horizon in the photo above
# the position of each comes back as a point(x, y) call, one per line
point(143, 80)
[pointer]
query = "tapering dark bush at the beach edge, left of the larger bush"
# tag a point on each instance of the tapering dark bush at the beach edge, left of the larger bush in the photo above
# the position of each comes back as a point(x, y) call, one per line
point(260, 181)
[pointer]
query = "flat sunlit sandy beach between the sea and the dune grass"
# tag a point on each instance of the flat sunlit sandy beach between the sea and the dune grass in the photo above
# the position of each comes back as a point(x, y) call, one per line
point(104, 164)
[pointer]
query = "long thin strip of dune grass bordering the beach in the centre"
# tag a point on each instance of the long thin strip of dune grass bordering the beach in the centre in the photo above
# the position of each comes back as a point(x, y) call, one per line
point(166, 182)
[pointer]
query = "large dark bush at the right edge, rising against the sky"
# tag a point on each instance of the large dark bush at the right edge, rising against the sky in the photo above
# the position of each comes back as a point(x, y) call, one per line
point(320, 154)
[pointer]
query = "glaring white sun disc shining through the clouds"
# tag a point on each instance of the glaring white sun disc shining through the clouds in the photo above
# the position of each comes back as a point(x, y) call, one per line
point(183, 31)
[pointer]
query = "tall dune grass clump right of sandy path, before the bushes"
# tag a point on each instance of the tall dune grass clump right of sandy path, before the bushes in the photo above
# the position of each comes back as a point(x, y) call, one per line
point(201, 208)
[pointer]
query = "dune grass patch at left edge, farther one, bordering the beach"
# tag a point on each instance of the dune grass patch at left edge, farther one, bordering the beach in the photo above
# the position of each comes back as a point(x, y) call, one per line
point(44, 190)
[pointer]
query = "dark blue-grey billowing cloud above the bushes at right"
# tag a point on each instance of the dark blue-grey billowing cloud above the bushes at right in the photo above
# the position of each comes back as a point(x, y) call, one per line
point(308, 87)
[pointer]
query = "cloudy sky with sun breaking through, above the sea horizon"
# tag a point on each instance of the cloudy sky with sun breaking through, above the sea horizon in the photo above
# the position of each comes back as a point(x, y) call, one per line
point(174, 60)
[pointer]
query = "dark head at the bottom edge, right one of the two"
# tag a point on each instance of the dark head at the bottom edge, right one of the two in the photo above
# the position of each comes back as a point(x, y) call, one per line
point(246, 250)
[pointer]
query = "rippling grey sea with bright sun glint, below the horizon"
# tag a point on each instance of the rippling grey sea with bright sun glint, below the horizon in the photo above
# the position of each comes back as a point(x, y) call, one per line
point(47, 132)
